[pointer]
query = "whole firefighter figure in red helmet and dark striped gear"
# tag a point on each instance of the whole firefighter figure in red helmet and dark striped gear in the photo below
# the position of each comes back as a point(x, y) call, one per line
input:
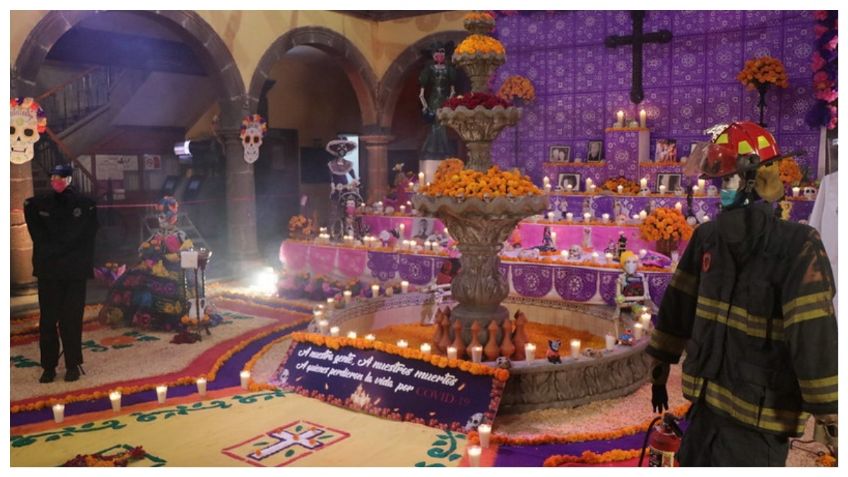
point(751, 305)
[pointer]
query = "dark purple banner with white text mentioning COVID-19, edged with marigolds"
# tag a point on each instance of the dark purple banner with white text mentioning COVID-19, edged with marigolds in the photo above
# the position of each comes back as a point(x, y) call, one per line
point(392, 382)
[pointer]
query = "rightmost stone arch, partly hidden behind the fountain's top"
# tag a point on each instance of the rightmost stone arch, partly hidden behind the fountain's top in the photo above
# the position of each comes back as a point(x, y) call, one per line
point(391, 83)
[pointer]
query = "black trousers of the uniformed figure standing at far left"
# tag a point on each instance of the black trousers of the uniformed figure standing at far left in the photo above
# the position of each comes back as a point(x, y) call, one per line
point(62, 304)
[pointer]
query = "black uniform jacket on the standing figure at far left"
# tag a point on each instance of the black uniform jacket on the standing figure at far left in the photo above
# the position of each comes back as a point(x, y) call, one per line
point(63, 228)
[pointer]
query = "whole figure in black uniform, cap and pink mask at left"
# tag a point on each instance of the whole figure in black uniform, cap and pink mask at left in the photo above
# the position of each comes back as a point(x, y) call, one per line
point(62, 226)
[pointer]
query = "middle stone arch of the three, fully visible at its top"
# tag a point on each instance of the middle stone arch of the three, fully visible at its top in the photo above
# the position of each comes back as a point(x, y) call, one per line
point(353, 62)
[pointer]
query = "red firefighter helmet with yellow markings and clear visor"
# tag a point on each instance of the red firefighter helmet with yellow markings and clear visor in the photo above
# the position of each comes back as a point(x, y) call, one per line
point(736, 148)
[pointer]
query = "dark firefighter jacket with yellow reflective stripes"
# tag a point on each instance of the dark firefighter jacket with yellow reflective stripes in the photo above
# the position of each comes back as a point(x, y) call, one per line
point(750, 304)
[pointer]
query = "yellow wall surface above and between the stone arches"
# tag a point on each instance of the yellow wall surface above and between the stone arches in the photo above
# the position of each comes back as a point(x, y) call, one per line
point(248, 34)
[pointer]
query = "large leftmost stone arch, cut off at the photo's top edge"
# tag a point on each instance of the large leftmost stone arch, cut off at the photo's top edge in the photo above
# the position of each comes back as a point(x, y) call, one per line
point(205, 40)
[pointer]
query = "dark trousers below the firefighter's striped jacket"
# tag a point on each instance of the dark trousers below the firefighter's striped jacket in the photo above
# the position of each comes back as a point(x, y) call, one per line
point(713, 440)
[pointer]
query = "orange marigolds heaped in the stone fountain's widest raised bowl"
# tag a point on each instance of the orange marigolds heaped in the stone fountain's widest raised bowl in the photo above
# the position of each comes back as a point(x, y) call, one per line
point(453, 180)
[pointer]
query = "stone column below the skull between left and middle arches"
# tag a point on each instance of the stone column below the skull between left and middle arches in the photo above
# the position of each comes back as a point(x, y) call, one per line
point(241, 206)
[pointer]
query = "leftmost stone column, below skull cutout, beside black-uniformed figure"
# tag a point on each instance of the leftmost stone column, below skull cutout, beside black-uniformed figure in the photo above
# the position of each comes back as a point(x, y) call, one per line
point(23, 283)
